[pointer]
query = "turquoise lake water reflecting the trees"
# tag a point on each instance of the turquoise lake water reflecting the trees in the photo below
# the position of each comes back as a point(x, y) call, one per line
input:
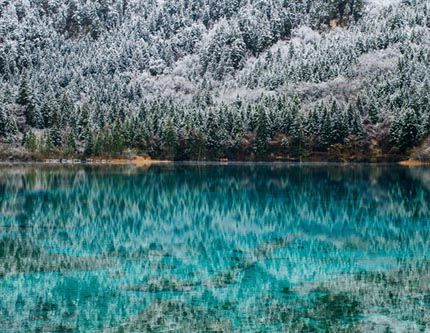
point(215, 248)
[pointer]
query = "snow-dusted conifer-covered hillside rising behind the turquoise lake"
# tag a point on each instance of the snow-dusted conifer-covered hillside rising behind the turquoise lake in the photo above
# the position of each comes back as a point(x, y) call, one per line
point(210, 79)
